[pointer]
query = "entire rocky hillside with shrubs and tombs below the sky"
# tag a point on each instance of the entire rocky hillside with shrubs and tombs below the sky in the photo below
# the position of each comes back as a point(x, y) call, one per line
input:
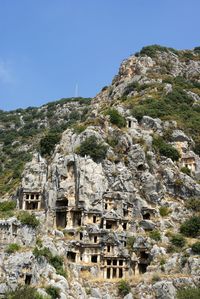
point(107, 204)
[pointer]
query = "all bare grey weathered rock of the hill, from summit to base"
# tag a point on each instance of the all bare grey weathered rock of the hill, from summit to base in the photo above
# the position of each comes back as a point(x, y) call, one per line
point(97, 215)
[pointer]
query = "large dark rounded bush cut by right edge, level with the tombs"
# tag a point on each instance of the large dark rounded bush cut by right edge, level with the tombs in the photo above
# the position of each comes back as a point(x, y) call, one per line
point(191, 227)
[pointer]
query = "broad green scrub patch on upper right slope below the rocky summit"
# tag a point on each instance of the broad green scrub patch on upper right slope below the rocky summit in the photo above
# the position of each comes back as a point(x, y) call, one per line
point(176, 105)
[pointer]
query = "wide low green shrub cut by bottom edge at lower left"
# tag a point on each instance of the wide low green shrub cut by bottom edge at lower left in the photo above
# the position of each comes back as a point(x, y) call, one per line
point(25, 292)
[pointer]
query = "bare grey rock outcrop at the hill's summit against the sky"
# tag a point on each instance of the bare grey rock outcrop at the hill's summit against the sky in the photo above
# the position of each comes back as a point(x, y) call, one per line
point(139, 70)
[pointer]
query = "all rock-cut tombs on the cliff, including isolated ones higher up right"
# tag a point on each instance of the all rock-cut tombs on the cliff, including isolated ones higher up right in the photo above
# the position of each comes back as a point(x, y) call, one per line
point(98, 234)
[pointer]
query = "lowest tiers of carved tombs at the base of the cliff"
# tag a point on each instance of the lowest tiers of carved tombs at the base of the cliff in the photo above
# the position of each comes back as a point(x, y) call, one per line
point(109, 252)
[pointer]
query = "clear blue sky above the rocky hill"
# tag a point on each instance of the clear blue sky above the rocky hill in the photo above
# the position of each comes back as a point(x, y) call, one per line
point(49, 46)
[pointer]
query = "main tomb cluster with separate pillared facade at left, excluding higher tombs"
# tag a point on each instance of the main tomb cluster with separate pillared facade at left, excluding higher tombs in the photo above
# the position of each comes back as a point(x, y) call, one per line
point(97, 237)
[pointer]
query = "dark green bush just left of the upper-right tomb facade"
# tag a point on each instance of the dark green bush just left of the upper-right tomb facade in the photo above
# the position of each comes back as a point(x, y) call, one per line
point(165, 149)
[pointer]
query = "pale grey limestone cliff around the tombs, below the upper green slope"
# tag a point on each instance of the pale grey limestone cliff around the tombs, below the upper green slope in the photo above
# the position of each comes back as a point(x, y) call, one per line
point(103, 206)
